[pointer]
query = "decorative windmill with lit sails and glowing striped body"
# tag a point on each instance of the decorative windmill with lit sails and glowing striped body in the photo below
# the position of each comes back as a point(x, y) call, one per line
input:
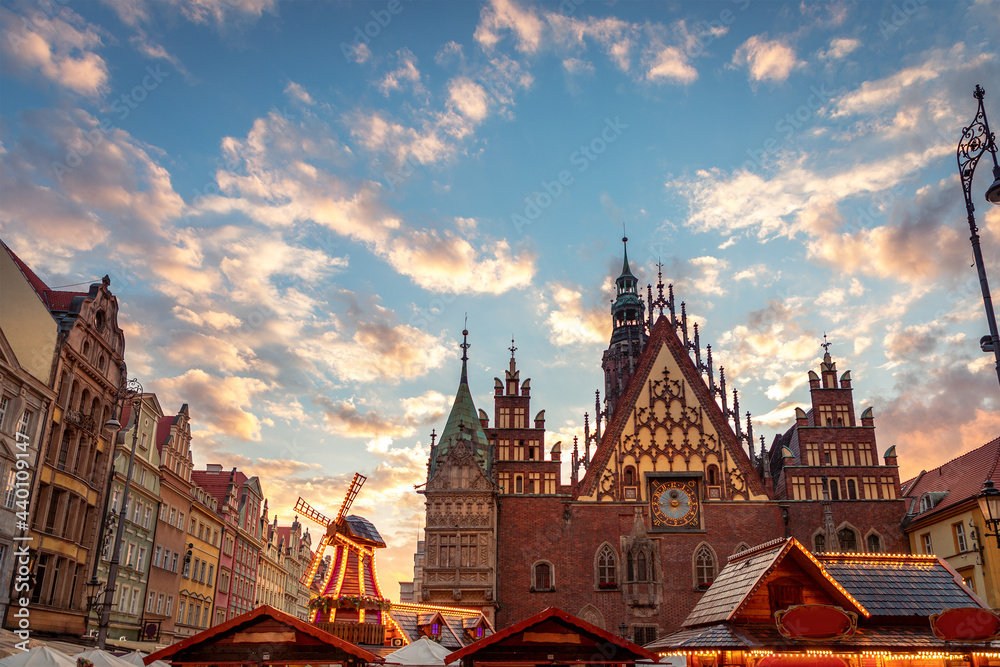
point(349, 591)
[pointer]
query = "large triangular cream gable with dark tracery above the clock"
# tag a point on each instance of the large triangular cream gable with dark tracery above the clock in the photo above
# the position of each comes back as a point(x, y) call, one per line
point(668, 420)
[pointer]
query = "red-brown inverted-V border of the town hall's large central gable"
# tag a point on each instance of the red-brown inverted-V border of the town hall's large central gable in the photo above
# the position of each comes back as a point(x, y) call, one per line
point(664, 333)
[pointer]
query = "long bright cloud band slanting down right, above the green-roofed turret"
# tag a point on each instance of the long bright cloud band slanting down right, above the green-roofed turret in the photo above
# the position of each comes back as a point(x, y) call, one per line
point(275, 179)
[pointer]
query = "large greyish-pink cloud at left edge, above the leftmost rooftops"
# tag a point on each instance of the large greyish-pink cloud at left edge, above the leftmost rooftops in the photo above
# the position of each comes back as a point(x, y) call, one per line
point(72, 182)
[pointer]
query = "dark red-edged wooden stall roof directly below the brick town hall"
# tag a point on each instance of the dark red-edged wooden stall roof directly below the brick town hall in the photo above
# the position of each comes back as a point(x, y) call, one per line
point(555, 637)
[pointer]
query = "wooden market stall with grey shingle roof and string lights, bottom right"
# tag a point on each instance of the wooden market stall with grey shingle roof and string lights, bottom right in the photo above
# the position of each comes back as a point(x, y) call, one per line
point(778, 605)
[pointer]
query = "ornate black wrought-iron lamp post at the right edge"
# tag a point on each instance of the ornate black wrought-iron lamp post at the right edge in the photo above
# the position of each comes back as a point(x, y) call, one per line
point(976, 140)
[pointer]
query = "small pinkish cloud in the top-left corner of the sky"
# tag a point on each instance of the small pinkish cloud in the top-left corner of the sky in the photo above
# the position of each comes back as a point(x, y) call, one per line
point(60, 47)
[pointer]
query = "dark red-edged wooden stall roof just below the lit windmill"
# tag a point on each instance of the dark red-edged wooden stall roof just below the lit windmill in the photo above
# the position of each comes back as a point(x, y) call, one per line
point(265, 630)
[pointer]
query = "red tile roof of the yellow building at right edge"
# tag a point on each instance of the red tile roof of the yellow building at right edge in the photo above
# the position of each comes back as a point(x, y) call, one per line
point(961, 478)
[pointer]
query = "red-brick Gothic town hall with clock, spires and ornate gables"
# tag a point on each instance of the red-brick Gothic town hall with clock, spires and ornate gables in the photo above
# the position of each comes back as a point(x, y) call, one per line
point(669, 484)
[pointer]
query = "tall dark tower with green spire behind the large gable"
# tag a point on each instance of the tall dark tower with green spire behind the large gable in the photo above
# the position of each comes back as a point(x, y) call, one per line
point(628, 335)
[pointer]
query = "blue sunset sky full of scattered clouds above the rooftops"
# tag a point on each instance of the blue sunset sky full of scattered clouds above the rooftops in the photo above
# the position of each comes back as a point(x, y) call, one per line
point(302, 204)
